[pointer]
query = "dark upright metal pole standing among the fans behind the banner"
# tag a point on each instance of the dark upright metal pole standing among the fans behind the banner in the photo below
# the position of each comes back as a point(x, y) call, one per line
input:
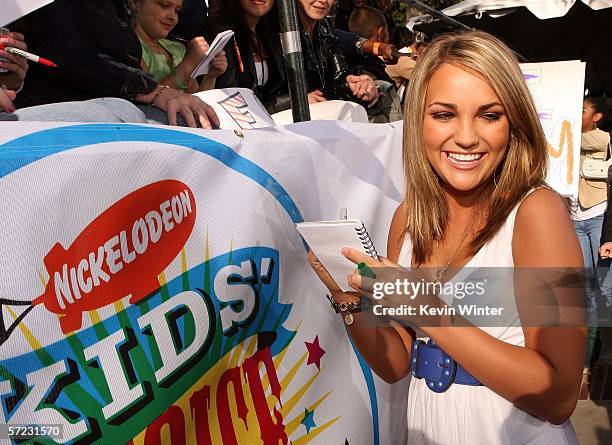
point(294, 62)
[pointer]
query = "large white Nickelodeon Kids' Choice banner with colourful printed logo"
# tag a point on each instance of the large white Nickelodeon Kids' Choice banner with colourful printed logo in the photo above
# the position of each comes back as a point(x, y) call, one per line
point(154, 290)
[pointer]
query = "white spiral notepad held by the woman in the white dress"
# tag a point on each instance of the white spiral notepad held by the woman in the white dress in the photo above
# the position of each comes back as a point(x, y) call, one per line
point(327, 238)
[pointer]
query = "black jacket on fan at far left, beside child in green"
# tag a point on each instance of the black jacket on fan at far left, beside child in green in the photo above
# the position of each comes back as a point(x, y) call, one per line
point(97, 53)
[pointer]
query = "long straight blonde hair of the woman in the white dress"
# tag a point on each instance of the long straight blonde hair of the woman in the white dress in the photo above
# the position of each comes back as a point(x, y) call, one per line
point(523, 166)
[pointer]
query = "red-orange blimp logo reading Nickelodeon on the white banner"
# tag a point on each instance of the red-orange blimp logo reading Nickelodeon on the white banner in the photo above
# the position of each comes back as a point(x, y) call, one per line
point(119, 253)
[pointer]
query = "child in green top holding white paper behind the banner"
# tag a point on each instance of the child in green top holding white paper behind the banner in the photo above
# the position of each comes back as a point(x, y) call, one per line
point(167, 61)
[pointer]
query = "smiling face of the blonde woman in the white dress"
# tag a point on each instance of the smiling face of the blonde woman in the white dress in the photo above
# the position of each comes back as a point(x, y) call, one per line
point(465, 136)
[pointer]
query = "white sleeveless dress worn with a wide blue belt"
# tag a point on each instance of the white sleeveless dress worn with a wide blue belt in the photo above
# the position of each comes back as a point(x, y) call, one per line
point(472, 415)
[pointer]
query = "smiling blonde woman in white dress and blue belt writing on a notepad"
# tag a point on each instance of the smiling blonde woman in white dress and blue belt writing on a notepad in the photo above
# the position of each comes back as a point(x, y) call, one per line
point(475, 166)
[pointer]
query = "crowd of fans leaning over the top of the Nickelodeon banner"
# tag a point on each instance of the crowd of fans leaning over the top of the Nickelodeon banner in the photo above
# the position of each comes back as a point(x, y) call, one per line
point(144, 52)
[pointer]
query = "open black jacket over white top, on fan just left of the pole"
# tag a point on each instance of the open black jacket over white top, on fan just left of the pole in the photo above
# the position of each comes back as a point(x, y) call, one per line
point(273, 95)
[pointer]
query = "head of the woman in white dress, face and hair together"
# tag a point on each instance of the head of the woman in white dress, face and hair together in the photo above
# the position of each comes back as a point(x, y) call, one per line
point(507, 126)
